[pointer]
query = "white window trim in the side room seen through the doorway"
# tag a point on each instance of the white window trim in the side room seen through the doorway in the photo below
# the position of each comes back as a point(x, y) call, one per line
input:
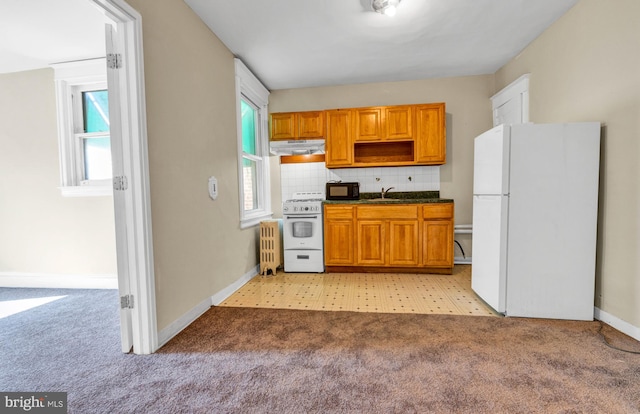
point(70, 76)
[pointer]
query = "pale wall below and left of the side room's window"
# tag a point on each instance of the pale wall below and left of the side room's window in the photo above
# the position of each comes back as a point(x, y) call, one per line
point(40, 231)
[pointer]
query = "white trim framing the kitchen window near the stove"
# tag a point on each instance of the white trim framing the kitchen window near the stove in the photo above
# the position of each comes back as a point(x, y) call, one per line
point(249, 86)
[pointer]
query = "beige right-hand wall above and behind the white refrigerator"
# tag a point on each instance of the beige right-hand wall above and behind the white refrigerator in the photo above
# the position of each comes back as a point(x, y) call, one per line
point(586, 67)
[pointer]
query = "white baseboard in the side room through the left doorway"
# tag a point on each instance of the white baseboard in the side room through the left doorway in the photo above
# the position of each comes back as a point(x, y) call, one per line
point(44, 280)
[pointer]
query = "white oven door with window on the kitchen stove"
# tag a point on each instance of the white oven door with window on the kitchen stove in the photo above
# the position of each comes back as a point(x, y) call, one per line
point(303, 232)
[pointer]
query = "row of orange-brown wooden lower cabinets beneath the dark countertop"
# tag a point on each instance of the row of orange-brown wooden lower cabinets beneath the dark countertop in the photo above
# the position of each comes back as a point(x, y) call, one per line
point(379, 238)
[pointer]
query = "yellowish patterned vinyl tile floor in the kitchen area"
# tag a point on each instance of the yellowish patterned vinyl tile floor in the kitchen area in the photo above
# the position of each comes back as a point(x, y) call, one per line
point(364, 292)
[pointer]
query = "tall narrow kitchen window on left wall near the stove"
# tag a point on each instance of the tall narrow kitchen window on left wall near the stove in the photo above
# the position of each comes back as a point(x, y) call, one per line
point(253, 159)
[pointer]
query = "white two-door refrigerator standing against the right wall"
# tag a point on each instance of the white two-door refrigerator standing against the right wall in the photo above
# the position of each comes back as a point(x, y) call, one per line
point(535, 208)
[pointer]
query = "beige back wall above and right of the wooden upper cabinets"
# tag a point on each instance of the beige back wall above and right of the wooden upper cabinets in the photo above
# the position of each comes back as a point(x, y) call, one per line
point(468, 114)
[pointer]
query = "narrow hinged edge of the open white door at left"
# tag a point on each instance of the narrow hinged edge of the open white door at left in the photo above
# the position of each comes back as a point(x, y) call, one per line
point(124, 288)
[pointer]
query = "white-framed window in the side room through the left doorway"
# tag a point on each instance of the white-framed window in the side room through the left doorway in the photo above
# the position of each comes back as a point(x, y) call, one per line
point(83, 128)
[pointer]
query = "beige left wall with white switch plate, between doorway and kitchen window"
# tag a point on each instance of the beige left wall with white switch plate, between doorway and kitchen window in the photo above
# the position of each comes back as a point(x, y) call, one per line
point(199, 248)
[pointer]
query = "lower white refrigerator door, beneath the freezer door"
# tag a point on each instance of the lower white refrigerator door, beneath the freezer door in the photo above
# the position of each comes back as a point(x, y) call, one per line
point(489, 245)
